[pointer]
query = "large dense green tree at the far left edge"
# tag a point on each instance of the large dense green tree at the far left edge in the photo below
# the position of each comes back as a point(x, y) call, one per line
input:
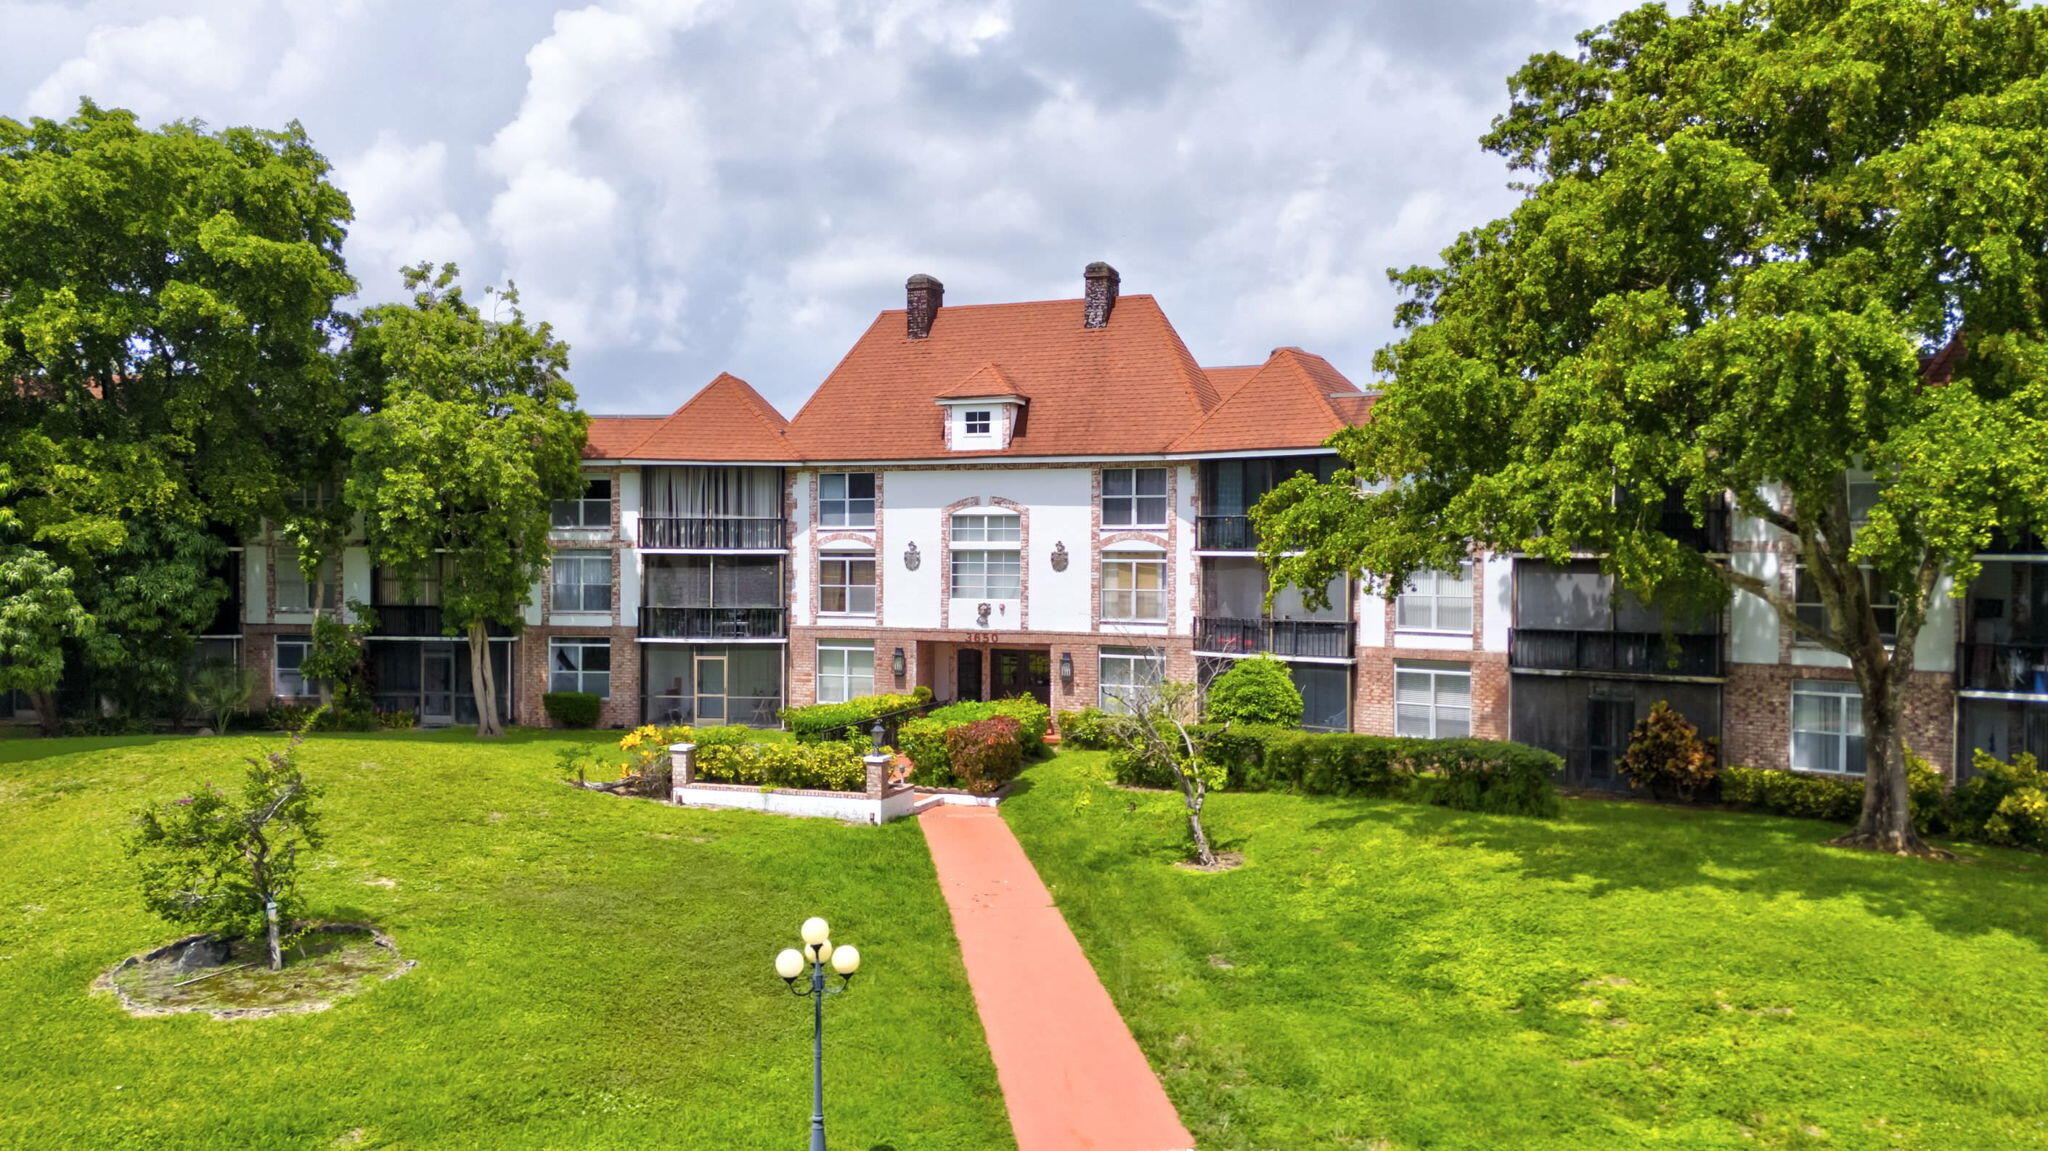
point(167, 339)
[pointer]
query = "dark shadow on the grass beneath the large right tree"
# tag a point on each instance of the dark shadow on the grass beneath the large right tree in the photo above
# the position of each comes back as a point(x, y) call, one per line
point(1605, 847)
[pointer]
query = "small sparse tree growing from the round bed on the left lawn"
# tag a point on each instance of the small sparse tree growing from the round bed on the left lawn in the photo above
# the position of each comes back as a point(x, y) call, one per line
point(230, 865)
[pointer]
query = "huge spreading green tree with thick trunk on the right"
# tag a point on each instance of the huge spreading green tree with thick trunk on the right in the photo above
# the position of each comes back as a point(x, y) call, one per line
point(1746, 230)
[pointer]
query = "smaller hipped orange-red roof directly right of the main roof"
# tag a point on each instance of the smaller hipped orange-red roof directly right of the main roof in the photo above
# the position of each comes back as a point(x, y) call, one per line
point(1295, 400)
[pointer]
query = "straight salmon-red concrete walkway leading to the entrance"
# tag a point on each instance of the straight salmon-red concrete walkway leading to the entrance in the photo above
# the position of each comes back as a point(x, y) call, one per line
point(1074, 1080)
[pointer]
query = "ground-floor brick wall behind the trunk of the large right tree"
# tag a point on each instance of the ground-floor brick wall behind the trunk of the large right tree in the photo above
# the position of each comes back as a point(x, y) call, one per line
point(1758, 714)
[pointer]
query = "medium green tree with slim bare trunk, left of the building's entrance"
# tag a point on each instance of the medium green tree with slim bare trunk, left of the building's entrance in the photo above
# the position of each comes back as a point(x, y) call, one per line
point(474, 439)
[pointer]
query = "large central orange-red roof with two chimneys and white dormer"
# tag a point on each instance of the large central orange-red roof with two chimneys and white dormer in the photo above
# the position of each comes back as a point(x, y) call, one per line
point(1127, 388)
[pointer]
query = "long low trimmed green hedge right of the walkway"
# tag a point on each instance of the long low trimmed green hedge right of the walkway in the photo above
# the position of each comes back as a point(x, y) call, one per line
point(1471, 775)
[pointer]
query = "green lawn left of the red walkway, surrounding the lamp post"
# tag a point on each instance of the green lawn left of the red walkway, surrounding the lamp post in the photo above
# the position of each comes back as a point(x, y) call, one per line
point(595, 972)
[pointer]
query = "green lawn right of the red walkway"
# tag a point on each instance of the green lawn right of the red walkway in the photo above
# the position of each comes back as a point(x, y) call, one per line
point(1394, 976)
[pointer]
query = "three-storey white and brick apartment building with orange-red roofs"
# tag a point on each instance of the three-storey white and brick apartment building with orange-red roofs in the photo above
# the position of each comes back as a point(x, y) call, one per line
point(1052, 499)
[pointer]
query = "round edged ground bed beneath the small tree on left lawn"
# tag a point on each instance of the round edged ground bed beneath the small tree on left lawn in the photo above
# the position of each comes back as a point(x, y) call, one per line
point(234, 982)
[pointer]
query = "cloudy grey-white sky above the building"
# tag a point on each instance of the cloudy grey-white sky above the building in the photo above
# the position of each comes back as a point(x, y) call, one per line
point(687, 187)
